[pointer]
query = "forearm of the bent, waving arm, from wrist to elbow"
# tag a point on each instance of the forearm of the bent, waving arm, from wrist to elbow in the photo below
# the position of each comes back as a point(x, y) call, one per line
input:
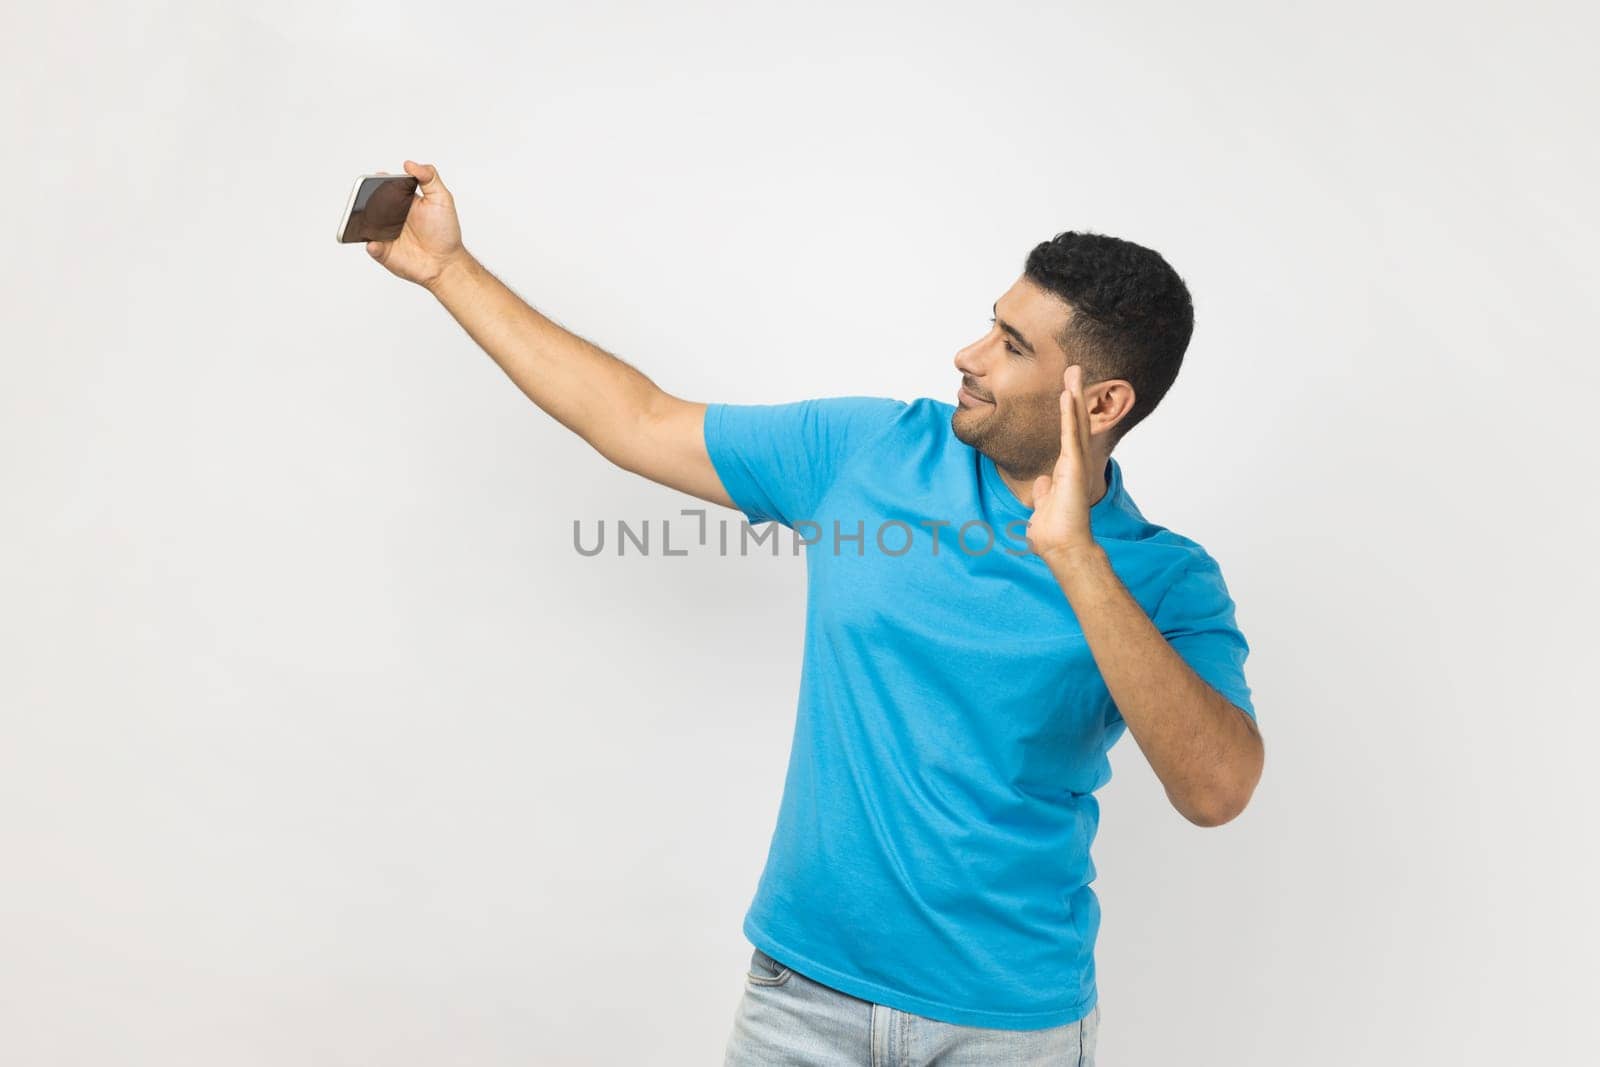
point(1206, 751)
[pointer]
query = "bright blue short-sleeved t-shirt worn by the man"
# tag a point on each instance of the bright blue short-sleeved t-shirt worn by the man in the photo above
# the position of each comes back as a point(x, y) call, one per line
point(934, 837)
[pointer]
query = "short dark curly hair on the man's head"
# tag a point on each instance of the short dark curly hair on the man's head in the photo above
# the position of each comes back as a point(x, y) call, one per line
point(1132, 316)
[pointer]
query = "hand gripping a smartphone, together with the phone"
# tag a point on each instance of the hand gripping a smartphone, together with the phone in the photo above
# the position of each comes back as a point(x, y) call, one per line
point(414, 238)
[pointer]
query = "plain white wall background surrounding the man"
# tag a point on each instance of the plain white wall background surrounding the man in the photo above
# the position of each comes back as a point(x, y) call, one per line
point(321, 745)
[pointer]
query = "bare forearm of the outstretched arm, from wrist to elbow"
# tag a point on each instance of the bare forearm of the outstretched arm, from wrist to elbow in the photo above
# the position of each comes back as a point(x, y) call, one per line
point(582, 386)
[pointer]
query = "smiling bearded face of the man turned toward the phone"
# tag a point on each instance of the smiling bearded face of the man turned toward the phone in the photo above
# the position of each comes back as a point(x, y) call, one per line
point(1010, 401)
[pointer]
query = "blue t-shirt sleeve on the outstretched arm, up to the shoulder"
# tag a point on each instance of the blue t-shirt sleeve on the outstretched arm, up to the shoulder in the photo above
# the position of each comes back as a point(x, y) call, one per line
point(778, 460)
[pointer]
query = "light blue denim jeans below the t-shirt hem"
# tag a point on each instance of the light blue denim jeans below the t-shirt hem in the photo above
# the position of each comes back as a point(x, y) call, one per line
point(788, 1020)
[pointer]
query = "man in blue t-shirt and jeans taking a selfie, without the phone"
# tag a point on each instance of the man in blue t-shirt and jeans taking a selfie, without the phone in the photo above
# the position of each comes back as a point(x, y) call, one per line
point(988, 612)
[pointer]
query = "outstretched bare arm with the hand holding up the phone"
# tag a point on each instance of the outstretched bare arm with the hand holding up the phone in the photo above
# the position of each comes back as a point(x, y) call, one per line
point(612, 406)
